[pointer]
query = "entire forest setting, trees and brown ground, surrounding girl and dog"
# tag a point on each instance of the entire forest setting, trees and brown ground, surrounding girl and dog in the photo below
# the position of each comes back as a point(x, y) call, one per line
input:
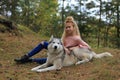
point(25, 23)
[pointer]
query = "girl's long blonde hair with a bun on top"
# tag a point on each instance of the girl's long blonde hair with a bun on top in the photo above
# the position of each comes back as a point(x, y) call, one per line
point(76, 29)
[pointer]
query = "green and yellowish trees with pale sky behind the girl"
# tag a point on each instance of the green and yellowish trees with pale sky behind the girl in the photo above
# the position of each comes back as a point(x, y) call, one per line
point(98, 20)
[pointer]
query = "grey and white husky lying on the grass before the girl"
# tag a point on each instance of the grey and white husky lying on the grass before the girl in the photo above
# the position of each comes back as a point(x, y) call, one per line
point(58, 58)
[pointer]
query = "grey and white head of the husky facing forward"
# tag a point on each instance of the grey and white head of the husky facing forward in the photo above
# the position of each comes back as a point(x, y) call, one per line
point(55, 45)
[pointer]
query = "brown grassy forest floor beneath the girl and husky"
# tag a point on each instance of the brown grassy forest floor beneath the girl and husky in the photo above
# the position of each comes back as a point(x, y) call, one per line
point(11, 47)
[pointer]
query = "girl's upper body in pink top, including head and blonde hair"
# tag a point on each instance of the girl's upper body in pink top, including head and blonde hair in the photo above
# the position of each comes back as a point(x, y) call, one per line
point(71, 36)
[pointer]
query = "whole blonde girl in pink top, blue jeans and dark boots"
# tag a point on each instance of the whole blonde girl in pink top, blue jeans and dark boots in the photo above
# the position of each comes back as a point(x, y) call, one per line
point(71, 38)
